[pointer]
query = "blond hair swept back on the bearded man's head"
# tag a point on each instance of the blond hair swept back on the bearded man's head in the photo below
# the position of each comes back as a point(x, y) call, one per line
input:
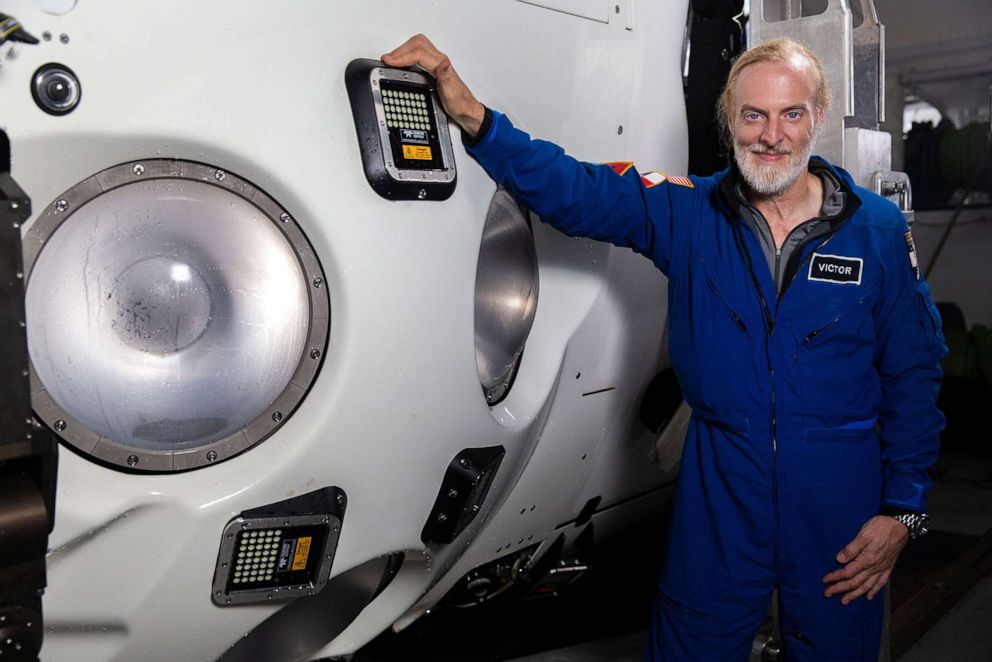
point(784, 50)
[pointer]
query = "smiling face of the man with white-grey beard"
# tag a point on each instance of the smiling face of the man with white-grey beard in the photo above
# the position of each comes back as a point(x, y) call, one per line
point(774, 124)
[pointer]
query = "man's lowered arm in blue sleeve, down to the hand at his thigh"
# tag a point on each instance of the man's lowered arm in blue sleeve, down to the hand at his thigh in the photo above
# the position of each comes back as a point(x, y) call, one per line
point(910, 348)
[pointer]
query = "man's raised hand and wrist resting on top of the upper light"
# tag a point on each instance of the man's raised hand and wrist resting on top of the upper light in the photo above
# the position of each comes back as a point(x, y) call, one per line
point(459, 103)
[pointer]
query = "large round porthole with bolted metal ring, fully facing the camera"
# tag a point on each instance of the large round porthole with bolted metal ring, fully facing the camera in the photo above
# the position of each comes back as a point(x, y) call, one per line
point(176, 315)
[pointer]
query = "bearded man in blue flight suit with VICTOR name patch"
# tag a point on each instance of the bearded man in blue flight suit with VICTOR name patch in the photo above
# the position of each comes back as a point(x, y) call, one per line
point(805, 342)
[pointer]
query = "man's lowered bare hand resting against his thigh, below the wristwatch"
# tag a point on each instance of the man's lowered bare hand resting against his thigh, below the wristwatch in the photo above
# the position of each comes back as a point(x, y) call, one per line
point(868, 560)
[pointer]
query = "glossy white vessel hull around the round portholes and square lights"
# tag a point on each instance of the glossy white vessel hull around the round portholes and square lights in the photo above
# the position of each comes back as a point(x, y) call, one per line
point(257, 89)
